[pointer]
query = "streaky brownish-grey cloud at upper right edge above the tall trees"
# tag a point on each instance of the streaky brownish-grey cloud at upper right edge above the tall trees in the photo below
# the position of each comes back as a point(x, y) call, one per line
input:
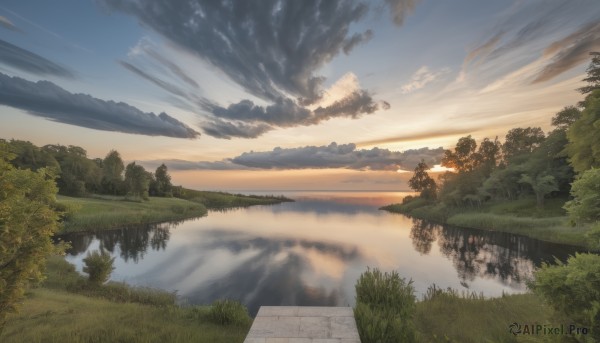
point(570, 51)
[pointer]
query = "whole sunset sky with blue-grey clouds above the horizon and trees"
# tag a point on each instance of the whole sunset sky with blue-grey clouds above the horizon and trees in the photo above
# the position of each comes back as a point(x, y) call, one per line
point(287, 95)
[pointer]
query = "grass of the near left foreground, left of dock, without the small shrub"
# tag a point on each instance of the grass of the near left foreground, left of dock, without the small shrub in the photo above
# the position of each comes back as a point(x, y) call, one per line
point(56, 316)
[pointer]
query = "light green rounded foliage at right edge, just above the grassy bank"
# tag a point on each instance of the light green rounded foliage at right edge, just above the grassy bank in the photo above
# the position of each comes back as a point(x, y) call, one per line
point(585, 206)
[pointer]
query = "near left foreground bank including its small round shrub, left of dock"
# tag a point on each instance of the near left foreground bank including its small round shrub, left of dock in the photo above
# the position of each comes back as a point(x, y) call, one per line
point(59, 312)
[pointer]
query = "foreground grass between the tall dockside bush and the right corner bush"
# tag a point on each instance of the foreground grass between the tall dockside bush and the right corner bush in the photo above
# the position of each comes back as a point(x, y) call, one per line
point(451, 317)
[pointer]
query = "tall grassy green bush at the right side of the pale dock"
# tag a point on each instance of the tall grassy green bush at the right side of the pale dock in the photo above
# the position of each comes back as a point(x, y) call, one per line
point(385, 305)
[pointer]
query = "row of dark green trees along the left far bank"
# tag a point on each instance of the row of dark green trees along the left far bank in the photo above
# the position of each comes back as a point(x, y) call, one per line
point(78, 175)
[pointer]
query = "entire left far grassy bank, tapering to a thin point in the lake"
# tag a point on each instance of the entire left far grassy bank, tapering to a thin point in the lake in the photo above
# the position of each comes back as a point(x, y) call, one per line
point(100, 212)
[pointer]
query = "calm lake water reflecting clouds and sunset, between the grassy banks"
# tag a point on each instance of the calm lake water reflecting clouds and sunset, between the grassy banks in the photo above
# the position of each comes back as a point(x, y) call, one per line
point(311, 252)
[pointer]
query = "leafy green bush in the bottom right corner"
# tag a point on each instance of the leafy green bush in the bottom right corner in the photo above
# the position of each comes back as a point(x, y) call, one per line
point(573, 288)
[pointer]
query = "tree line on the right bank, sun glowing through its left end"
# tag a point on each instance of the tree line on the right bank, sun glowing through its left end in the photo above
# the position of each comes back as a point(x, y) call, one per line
point(528, 162)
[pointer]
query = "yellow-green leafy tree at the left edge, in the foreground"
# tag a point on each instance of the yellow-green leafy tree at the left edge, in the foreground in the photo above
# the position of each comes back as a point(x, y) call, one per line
point(27, 224)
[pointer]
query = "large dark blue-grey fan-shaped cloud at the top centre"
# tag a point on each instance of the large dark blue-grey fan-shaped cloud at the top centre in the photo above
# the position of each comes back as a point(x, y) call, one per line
point(271, 48)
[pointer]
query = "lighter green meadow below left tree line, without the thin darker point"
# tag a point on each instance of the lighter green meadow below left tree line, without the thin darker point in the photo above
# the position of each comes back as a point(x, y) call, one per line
point(91, 214)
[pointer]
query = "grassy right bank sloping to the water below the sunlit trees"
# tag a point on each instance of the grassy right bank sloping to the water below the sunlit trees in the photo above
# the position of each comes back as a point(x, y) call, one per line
point(519, 217)
